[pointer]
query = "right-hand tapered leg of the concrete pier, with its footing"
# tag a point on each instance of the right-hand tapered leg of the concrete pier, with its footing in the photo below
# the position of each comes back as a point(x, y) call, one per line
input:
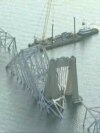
point(72, 82)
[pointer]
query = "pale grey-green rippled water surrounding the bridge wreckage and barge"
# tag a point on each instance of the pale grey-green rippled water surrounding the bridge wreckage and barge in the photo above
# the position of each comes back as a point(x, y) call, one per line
point(18, 113)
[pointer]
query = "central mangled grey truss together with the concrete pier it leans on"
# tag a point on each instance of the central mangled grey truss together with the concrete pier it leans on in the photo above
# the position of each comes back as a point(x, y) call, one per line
point(48, 80)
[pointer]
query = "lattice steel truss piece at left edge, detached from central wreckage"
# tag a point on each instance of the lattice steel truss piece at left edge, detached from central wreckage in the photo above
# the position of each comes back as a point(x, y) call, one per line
point(8, 42)
